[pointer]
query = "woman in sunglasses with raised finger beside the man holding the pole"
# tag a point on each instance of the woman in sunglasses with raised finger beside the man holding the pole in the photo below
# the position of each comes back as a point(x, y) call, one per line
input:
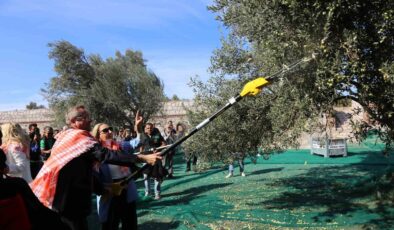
point(114, 209)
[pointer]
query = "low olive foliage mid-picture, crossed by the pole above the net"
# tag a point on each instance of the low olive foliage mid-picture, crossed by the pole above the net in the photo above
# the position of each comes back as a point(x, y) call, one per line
point(255, 123)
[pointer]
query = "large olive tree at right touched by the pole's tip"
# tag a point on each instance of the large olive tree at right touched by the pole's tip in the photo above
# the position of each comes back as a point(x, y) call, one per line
point(354, 44)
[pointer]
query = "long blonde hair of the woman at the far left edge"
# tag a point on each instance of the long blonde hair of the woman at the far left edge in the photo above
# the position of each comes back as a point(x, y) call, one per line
point(14, 132)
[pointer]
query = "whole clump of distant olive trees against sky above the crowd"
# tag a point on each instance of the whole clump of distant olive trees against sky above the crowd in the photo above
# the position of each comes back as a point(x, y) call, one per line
point(112, 89)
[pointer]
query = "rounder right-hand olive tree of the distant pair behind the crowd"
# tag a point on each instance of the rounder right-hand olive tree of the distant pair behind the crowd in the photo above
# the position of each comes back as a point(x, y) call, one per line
point(124, 85)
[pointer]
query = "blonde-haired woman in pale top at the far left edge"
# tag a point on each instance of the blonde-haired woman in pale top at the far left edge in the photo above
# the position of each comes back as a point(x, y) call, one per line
point(16, 146)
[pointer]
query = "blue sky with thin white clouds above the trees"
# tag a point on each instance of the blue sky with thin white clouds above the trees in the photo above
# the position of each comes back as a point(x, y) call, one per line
point(176, 37)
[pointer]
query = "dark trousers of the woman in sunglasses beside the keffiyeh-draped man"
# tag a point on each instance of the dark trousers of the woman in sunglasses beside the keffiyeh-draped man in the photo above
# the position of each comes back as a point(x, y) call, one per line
point(121, 211)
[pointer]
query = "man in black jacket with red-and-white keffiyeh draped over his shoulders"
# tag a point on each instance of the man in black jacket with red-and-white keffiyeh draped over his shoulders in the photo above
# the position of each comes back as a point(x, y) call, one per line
point(65, 183)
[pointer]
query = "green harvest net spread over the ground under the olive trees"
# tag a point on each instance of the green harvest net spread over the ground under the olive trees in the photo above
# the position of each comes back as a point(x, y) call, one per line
point(293, 189)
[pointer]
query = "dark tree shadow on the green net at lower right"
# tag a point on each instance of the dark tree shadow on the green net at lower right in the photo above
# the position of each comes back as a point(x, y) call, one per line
point(334, 191)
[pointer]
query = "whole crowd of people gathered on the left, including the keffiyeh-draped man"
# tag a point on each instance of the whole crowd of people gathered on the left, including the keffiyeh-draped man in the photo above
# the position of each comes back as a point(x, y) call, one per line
point(57, 173)
